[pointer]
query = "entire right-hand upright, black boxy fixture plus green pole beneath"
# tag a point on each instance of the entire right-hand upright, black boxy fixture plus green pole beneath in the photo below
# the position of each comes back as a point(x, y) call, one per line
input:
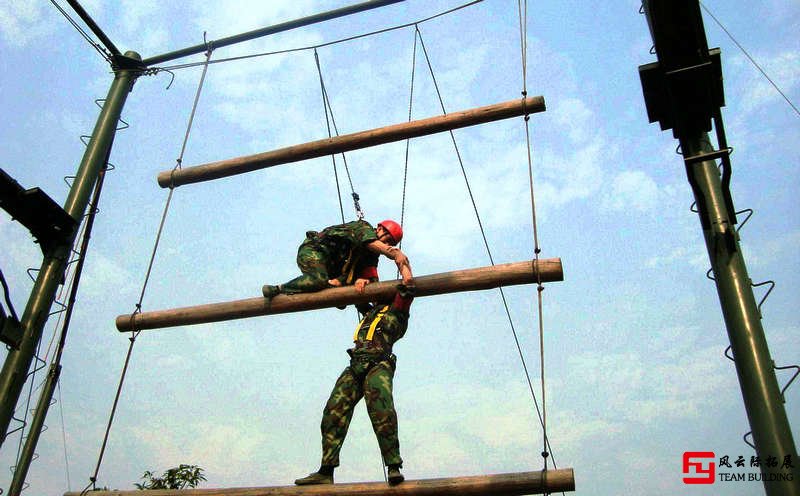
point(683, 91)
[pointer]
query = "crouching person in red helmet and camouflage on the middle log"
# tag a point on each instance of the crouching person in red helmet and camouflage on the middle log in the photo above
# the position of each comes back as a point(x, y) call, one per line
point(345, 254)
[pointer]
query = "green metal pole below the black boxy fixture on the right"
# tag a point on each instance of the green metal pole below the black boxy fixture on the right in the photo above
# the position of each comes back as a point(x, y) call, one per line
point(754, 366)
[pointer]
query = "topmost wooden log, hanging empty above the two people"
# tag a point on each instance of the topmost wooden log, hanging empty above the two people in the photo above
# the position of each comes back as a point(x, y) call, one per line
point(348, 142)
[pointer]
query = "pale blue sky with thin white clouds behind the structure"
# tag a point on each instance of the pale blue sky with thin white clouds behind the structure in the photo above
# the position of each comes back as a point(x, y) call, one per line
point(634, 336)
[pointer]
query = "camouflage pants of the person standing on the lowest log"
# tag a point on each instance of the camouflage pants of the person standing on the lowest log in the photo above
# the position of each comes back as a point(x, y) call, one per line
point(373, 381)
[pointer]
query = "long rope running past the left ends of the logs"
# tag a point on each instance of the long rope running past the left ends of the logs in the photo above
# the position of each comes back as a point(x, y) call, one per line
point(138, 305)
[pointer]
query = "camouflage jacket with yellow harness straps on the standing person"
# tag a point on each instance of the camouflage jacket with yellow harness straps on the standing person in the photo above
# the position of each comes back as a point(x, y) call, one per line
point(383, 325)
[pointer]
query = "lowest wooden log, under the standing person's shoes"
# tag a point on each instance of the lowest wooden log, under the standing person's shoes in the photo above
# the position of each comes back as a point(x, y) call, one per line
point(513, 484)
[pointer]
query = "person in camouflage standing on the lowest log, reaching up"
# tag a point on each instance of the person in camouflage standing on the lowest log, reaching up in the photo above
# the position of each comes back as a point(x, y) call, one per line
point(369, 375)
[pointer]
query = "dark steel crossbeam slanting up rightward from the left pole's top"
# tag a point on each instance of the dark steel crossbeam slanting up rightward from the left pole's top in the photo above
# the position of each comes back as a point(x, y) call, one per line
point(277, 28)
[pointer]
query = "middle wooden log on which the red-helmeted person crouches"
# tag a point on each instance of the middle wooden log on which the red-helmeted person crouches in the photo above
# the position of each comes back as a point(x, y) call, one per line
point(509, 274)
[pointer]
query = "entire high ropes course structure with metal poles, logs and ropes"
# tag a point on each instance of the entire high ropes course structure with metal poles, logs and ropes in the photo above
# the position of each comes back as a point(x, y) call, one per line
point(671, 91)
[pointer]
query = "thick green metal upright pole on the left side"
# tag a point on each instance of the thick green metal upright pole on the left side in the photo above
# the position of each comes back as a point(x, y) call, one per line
point(51, 274)
